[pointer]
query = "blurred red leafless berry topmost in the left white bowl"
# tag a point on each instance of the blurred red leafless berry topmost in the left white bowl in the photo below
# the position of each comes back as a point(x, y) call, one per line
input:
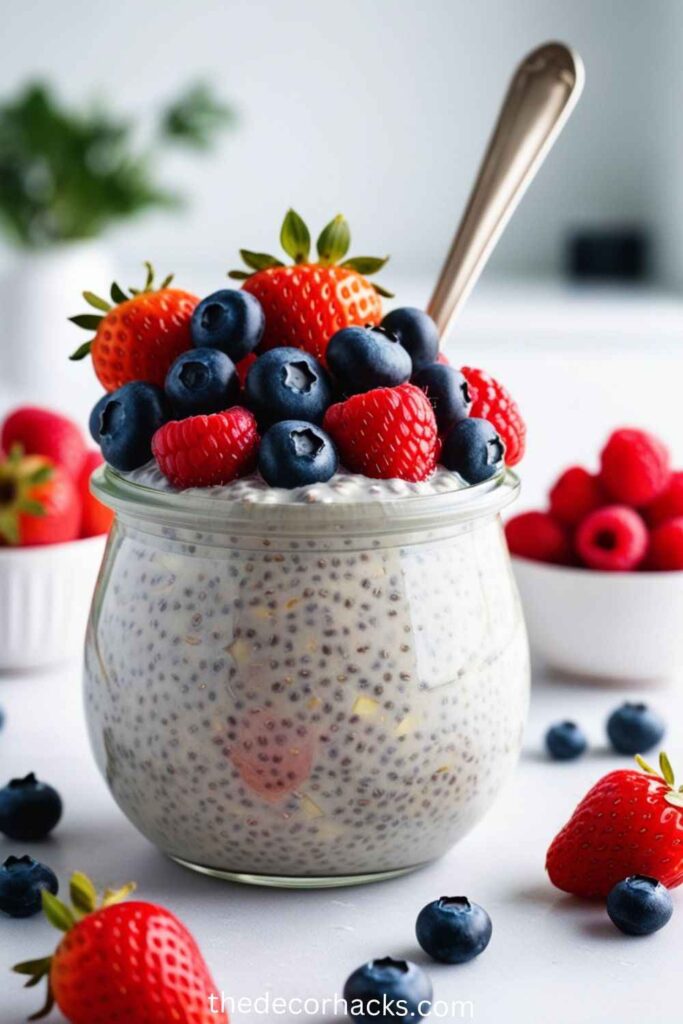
point(41, 432)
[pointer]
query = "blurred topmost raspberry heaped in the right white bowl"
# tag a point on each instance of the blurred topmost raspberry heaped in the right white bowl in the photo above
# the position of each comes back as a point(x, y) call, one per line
point(635, 467)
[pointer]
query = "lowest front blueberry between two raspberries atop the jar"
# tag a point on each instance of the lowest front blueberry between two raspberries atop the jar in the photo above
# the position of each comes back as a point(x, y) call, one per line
point(294, 453)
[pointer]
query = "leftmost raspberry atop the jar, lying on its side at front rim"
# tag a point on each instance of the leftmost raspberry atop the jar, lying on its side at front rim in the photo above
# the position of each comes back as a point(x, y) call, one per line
point(206, 451)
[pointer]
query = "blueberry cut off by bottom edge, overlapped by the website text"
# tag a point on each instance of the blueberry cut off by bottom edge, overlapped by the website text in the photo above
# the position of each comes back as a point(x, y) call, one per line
point(388, 991)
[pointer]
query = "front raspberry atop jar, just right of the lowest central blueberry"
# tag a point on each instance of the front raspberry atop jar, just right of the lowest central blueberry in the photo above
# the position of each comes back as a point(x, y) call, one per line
point(387, 434)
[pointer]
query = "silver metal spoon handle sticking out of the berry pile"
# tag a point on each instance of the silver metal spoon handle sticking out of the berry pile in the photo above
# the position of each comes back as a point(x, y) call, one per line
point(542, 95)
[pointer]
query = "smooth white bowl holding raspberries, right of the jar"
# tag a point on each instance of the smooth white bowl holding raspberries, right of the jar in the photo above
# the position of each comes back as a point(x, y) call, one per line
point(622, 626)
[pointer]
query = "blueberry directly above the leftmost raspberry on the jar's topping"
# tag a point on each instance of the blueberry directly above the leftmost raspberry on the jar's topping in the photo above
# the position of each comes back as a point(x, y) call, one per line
point(202, 381)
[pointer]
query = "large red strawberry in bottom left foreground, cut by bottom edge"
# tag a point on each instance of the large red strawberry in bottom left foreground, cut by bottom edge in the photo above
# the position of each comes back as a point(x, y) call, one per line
point(119, 962)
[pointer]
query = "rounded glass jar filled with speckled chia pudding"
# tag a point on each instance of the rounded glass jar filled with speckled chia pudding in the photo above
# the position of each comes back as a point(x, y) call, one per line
point(306, 695)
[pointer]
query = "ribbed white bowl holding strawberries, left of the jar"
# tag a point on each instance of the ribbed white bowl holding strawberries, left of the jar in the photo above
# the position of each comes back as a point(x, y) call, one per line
point(46, 594)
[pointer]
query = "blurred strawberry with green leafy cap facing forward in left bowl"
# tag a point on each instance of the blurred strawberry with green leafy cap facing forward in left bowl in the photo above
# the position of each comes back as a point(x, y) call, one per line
point(39, 503)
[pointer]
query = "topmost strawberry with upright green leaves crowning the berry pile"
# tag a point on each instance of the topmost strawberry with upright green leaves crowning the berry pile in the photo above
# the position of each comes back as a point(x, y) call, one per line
point(307, 304)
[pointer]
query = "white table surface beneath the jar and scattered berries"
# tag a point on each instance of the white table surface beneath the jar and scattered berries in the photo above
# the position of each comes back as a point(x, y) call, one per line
point(551, 958)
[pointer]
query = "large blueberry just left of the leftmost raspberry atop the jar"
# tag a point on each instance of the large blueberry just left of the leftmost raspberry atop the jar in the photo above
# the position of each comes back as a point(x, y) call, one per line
point(129, 419)
